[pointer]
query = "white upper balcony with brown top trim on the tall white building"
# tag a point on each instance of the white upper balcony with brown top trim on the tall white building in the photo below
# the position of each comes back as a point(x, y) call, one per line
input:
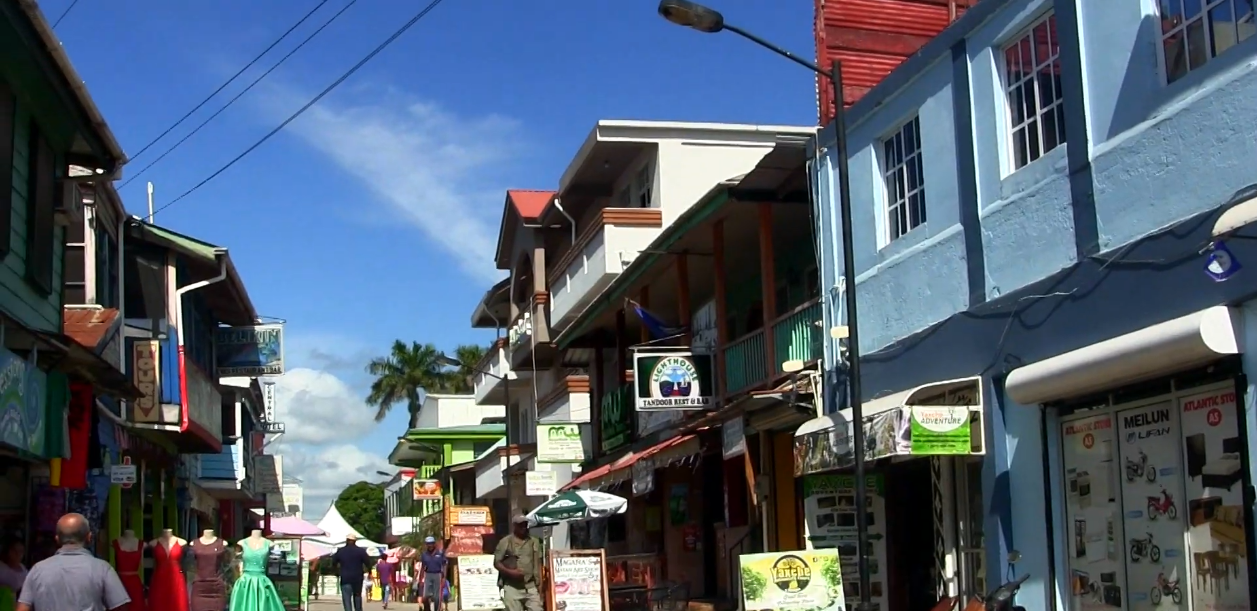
point(600, 255)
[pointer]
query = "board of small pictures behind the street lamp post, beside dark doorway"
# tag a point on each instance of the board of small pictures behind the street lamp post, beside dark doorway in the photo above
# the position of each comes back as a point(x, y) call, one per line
point(830, 522)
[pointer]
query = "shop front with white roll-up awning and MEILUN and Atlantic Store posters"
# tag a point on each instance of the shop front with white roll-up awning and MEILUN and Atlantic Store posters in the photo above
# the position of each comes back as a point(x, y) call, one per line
point(1150, 486)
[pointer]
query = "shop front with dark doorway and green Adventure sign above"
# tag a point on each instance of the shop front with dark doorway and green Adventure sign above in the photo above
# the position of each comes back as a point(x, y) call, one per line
point(925, 453)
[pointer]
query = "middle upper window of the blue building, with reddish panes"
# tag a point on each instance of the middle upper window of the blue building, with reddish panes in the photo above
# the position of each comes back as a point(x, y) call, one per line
point(1033, 80)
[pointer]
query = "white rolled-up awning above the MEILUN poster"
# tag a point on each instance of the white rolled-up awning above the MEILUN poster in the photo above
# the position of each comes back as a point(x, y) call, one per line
point(1156, 351)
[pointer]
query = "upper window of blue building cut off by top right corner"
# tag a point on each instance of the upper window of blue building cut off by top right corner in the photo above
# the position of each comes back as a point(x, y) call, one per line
point(1195, 32)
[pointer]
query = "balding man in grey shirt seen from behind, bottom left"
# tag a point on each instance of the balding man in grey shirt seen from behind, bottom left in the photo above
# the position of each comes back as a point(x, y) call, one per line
point(74, 579)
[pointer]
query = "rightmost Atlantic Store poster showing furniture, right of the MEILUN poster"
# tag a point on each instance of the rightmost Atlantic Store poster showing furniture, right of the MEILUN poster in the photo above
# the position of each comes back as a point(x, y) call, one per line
point(1217, 536)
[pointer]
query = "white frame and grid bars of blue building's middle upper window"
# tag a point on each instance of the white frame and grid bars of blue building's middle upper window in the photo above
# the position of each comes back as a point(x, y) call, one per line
point(1040, 109)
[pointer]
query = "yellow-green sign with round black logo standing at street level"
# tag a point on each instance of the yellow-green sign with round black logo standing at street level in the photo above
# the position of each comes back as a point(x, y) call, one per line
point(790, 581)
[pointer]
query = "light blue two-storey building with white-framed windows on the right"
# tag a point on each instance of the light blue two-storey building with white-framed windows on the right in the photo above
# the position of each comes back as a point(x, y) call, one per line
point(1035, 203)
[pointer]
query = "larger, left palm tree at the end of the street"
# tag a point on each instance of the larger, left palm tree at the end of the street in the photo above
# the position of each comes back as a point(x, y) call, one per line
point(405, 375)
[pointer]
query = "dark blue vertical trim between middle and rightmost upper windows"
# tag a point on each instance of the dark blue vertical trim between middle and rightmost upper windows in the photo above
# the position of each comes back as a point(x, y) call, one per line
point(1087, 227)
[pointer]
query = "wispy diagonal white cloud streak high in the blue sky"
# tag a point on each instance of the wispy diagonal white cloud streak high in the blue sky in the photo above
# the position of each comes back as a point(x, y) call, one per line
point(433, 167)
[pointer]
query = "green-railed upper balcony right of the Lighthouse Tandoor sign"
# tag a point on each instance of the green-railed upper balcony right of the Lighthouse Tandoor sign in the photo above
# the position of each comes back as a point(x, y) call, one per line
point(795, 336)
